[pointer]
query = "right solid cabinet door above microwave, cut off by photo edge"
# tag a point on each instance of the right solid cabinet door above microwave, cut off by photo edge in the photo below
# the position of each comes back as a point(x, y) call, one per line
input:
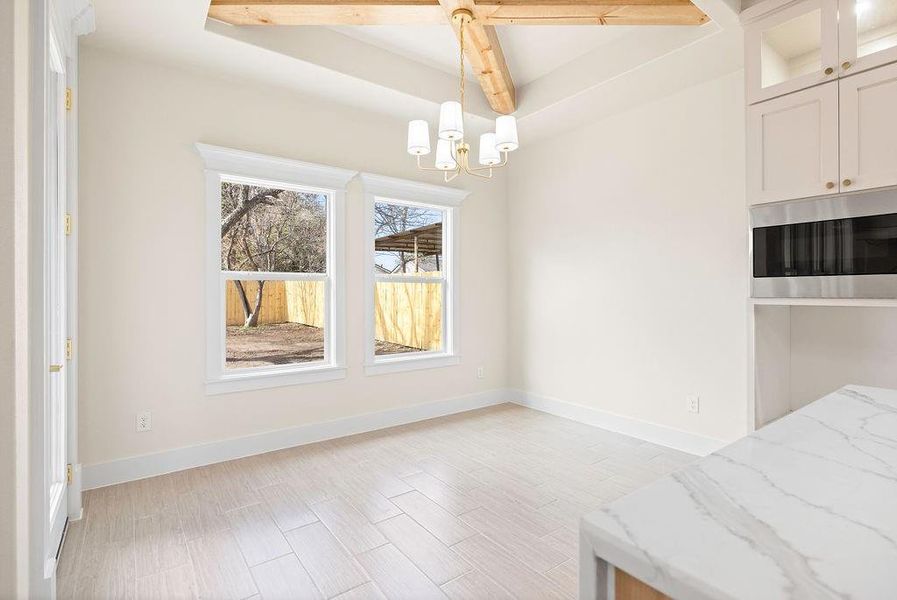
point(869, 129)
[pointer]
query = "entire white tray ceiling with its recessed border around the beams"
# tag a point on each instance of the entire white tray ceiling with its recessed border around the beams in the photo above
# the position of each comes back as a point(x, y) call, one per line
point(563, 75)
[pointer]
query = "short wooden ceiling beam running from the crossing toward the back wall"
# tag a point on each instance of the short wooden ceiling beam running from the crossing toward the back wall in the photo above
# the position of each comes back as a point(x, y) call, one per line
point(483, 52)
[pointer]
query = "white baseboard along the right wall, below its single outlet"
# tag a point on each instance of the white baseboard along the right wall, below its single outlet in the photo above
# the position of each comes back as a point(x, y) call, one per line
point(643, 430)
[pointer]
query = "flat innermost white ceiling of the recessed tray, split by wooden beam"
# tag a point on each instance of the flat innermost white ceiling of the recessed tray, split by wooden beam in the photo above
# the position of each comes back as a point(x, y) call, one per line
point(530, 52)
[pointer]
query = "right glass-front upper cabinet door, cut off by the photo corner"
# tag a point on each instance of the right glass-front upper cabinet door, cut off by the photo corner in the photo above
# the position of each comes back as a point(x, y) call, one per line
point(867, 34)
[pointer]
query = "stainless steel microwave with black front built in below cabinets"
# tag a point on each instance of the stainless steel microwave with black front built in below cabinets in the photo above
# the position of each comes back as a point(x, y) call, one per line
point(836, 247)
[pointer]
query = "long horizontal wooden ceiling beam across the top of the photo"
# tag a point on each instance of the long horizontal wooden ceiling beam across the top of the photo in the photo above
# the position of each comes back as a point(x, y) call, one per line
point(488, 12)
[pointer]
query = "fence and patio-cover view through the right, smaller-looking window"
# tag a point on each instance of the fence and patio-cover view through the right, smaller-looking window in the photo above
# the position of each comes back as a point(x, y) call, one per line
point(409, 279)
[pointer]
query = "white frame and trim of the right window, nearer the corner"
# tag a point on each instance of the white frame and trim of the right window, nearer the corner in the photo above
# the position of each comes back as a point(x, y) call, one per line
point(378, 188)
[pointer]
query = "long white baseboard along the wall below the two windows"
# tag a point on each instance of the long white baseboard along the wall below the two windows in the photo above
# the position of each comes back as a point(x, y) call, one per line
point(150, 465)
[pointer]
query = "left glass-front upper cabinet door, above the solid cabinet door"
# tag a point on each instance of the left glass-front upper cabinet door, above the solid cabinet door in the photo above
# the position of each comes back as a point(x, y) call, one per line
point(792, 48)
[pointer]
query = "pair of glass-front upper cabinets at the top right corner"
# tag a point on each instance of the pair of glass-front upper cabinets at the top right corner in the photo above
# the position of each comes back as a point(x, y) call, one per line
point(795, 44)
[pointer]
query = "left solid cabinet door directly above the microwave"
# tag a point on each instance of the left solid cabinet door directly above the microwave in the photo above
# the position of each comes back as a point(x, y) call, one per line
point(793, 146)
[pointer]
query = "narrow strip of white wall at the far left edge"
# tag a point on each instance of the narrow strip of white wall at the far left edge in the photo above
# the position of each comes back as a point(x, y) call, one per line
point(14, 534)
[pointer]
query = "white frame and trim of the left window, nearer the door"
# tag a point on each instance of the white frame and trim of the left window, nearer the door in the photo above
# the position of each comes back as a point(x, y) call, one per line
point(225, 164)
